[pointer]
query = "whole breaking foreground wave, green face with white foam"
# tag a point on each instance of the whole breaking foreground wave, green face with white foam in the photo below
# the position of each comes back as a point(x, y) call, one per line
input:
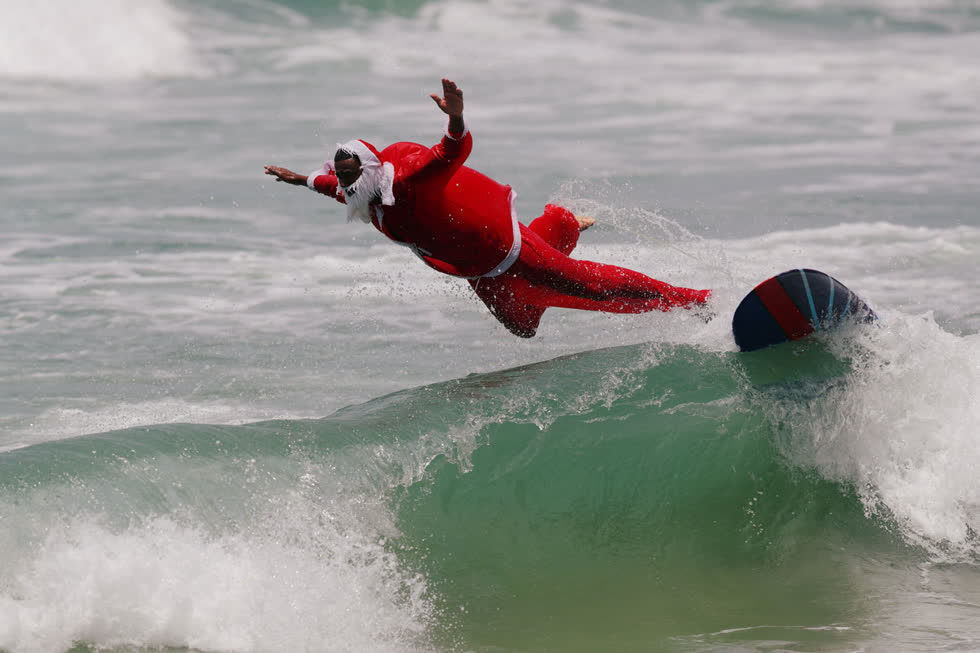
point(626, 495)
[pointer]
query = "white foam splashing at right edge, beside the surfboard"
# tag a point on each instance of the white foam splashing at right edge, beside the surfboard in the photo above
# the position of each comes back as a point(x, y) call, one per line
point(903, 431)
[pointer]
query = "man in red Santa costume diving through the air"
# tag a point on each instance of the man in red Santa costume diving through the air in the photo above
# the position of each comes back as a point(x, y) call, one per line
point(461, 222)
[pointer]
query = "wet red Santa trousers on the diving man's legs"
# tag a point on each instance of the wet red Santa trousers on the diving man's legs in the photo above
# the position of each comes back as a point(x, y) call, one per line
point(545, 275)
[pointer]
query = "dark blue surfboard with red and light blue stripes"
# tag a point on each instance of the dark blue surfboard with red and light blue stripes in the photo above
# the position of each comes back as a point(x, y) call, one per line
point(792, 305)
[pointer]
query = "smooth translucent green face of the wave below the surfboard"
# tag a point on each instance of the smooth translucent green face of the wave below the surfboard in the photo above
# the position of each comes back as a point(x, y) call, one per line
point(647, 513)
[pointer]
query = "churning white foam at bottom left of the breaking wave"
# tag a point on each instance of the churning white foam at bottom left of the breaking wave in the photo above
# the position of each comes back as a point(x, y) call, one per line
point(163, 583)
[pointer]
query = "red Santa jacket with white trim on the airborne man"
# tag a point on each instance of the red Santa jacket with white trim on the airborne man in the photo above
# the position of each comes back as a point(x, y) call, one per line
point(459, 221)
